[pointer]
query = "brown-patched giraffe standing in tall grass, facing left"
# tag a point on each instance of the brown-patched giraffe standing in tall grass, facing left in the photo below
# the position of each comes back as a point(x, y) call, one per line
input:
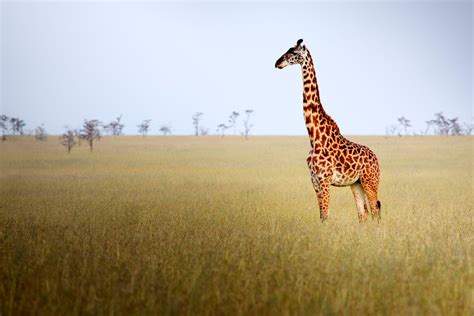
point(333, 159)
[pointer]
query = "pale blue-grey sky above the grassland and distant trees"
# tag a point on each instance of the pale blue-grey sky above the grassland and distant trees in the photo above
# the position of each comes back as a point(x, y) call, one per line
point(65, 61)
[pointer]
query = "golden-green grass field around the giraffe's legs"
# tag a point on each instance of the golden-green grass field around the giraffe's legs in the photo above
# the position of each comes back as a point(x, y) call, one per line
point(204, 225)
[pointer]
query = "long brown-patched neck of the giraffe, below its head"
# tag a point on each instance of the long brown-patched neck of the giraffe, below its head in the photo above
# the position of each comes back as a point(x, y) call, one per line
point(314, 114)
